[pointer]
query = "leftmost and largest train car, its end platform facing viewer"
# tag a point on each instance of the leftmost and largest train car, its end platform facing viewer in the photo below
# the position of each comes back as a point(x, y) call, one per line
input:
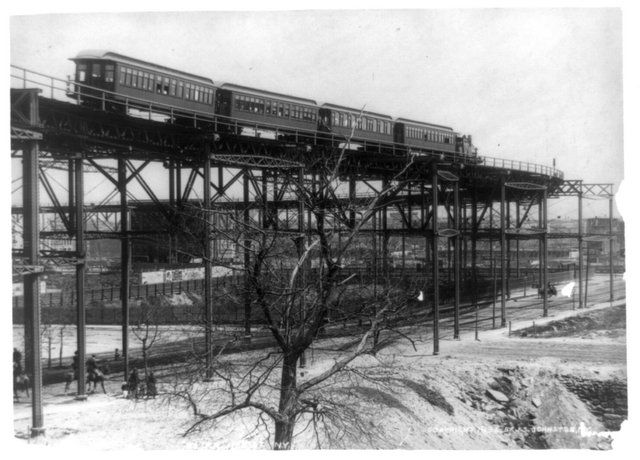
point(132, 78)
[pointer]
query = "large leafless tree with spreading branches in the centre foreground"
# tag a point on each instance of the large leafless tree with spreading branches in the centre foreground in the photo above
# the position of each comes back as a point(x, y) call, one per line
point(295, 306)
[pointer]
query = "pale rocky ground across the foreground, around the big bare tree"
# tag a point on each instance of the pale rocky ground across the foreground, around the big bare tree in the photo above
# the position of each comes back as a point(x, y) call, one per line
point(524, 390)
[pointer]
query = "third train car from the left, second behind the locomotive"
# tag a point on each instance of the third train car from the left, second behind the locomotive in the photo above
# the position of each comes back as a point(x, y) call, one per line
point(341, 120)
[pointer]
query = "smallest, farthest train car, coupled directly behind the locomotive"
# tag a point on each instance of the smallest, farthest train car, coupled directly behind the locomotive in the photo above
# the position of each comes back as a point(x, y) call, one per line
point(426, 136)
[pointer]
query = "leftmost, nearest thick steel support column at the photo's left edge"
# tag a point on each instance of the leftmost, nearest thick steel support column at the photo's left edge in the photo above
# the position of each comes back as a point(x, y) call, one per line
point(31, 241)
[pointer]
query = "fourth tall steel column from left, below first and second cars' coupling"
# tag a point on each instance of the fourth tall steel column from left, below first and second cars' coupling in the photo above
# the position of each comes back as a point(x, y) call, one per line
point(208, 223)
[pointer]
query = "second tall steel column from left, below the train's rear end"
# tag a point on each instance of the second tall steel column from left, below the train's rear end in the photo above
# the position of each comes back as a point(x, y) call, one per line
point(80, 271)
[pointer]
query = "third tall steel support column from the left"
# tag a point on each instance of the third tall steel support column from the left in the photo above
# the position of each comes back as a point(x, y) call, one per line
point(124, 261)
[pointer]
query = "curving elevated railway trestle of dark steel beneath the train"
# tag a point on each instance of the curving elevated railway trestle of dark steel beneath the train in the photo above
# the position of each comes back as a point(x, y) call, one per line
point(452, 202)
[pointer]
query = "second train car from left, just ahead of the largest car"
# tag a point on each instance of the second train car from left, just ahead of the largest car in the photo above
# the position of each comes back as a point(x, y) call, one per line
point(267, 110)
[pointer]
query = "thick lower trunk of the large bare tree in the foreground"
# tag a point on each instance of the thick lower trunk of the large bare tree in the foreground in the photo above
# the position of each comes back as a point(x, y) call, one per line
point(288, 403)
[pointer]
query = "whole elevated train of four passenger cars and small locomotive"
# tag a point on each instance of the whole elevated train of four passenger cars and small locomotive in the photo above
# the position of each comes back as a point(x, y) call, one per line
point(127, 80)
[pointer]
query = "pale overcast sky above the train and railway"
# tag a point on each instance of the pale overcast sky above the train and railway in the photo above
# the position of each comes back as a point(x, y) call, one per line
point(534, 84)
